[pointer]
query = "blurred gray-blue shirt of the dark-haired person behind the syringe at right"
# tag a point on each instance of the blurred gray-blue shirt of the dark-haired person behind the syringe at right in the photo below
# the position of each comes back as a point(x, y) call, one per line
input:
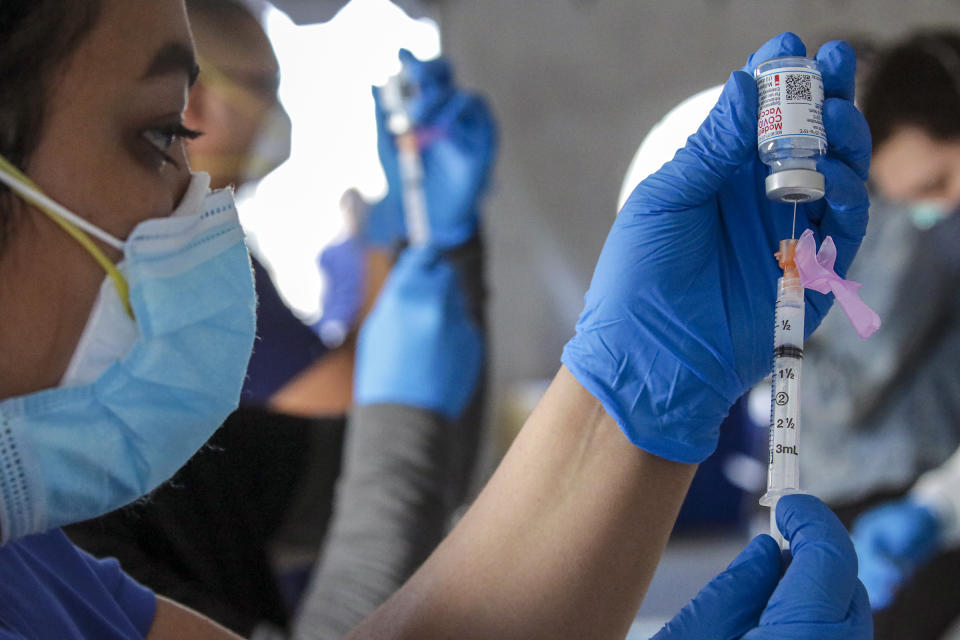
point(878, 412)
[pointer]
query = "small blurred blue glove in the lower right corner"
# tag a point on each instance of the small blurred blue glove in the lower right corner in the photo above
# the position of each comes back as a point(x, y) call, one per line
point(892, 541)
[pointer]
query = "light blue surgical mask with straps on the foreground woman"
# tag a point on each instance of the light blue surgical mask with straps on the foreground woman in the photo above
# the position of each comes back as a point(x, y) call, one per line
point(158, 368)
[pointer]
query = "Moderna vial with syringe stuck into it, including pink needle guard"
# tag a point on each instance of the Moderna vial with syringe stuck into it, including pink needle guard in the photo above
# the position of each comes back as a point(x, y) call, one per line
point(791, 138)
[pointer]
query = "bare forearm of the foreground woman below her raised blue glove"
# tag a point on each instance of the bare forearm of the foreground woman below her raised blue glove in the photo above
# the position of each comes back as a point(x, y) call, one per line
point(562, 542)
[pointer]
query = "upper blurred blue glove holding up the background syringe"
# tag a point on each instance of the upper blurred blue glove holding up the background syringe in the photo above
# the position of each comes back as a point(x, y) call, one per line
point(459, 140)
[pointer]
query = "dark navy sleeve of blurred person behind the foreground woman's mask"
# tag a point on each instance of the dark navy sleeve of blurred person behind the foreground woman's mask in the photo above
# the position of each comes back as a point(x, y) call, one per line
point(284, 346)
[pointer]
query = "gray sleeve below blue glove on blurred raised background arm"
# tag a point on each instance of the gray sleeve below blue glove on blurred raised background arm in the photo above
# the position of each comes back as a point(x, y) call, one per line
point(405, 471)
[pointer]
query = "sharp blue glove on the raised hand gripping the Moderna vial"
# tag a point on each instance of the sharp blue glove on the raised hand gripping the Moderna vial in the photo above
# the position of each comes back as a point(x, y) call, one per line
point(678, 321)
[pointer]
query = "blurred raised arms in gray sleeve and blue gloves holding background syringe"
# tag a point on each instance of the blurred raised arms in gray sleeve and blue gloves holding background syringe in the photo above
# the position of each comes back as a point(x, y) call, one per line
point(414, 433)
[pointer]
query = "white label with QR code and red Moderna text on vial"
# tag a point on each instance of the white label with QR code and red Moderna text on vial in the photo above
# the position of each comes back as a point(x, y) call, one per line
point(791, 104)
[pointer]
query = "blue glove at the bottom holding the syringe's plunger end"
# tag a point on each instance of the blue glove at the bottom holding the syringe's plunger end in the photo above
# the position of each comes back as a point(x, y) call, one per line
point(819, 596)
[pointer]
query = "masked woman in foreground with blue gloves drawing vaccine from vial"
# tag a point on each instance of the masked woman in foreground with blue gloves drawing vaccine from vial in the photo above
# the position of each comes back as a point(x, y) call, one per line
point(566, 536)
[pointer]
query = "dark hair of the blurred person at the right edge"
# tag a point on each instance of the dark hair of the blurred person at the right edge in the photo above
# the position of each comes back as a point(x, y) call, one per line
point(915, 82)
